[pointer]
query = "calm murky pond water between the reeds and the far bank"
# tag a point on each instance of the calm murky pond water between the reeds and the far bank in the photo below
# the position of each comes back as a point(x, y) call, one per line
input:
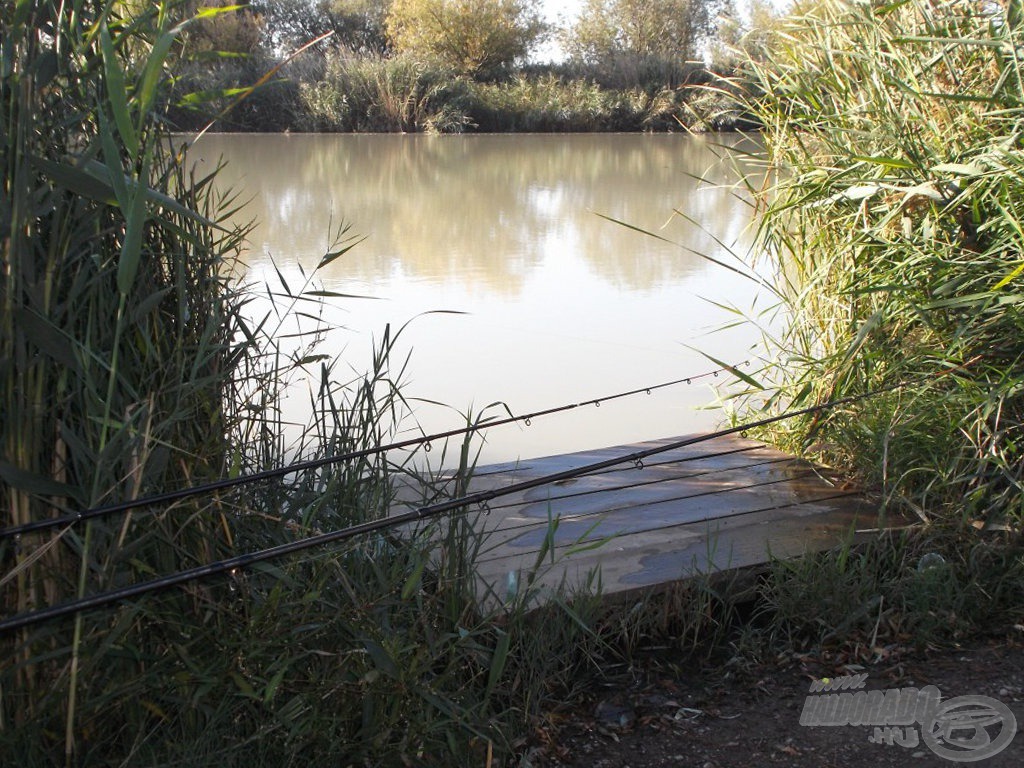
point(557, 304)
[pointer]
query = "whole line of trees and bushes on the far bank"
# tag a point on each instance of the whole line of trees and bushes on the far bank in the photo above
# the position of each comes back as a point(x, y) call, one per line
point(454, 65)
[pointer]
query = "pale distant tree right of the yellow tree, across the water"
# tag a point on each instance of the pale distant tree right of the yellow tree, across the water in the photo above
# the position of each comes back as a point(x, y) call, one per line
point(664, 29)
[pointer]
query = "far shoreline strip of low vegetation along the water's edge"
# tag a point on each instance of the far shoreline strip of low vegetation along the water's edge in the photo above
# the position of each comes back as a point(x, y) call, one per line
point(392, 97)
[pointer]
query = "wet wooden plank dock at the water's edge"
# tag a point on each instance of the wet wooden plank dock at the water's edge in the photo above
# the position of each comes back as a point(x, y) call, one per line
point(723, 504)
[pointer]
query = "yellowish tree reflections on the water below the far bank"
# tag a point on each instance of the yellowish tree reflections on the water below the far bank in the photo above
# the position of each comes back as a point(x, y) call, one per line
point(481, 209)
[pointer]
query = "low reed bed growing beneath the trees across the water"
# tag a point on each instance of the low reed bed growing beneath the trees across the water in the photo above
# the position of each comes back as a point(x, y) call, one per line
point(337, 93)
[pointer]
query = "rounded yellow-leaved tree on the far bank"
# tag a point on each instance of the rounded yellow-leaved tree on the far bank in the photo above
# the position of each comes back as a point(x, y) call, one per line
point(475, 37)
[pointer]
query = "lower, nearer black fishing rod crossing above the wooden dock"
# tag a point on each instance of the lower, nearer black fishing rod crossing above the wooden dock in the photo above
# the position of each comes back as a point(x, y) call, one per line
point(480, 498)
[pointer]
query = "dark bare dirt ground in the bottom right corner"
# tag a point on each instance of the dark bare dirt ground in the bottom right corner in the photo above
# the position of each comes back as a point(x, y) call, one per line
point(733, 716)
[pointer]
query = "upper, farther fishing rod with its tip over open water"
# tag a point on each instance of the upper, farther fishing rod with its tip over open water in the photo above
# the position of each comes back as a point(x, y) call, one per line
point(73, 519)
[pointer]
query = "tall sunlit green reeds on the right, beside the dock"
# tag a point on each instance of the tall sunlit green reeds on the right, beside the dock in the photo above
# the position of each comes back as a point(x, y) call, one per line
point(895, 227)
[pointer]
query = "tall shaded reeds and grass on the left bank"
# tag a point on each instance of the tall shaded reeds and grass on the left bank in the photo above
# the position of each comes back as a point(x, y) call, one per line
point(131, 365)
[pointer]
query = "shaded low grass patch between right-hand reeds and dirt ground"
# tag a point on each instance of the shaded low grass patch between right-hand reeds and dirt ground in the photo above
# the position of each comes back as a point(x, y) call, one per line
point(903, 589)
